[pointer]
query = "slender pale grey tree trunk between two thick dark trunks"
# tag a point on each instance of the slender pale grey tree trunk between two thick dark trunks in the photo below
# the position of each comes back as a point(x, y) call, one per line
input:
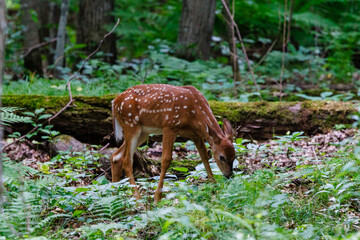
point(59, 53)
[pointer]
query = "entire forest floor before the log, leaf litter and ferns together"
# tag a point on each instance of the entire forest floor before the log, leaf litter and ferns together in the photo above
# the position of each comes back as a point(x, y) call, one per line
point(292, 186)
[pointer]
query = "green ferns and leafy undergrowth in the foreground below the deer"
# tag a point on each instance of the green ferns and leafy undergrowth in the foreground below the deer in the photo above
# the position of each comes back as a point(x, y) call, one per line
point(318, 201)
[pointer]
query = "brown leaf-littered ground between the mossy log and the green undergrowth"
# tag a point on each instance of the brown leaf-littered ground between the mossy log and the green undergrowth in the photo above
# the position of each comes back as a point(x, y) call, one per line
point(283, 153)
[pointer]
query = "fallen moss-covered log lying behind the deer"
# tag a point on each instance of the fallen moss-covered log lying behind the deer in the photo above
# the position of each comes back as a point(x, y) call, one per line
point(89, 118)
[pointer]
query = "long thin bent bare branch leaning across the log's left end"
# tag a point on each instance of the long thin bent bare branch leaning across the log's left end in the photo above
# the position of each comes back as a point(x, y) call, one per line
point(68, 85)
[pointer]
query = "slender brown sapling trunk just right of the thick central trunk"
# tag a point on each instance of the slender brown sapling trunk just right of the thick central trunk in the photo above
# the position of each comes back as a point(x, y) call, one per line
point(230, 38)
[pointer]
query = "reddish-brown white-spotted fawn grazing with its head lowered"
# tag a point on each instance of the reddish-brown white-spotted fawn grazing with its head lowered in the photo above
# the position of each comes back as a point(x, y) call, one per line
point(170, 111)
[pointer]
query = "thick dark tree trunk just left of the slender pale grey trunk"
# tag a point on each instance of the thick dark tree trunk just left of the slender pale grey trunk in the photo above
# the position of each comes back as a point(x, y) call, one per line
point(32, 61)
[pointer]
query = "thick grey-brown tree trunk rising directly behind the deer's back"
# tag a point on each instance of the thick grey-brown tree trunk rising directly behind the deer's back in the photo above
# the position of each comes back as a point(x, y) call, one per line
point(196, 28)
